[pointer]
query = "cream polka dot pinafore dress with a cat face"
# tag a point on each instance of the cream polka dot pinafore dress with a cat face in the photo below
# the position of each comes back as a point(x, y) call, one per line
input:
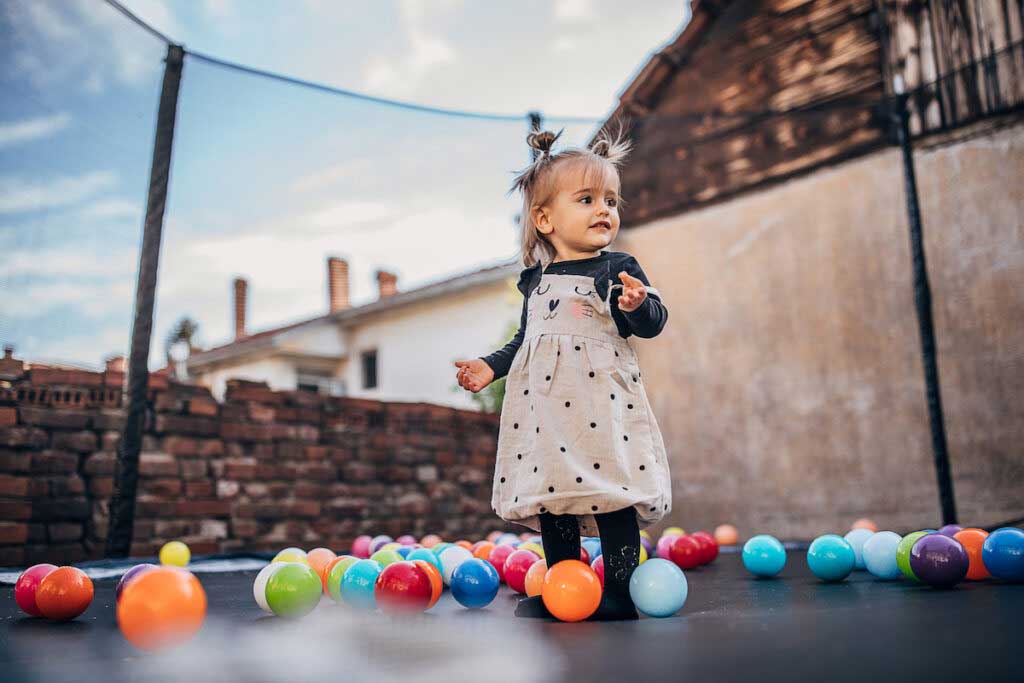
point(577, 434)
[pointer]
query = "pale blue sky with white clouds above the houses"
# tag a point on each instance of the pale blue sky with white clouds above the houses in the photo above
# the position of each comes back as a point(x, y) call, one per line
point(270, 180)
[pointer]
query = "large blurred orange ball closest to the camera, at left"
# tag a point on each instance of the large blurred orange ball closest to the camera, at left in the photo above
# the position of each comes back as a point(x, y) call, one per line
point(162, 608)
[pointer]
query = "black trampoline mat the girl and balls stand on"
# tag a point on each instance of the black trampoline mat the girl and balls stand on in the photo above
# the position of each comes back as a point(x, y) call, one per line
point(734, 627)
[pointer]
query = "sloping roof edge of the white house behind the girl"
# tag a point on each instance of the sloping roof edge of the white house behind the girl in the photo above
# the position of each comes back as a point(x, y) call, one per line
point(351, 317)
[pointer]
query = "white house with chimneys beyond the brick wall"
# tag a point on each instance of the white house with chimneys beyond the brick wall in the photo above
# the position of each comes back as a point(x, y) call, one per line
point(401, 348)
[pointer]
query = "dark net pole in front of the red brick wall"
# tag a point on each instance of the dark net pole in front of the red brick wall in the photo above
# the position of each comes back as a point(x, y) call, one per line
point(122, 507)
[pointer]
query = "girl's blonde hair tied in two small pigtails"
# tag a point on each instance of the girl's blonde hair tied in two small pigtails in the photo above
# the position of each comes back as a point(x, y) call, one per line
point(539, 182)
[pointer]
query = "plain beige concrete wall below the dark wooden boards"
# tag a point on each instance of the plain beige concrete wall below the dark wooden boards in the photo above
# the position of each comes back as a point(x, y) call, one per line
point(789, 381)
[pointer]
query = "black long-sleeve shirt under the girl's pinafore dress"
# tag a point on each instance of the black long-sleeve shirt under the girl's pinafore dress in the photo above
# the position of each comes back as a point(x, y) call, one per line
point(646, 322)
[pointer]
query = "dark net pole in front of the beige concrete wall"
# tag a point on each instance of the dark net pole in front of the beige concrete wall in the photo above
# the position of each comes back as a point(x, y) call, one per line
point(923, 303)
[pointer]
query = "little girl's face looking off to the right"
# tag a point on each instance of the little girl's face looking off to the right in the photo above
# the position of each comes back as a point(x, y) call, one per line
point(582, 219)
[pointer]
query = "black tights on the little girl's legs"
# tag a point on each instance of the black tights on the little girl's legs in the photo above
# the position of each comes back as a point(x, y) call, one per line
point(620, 544)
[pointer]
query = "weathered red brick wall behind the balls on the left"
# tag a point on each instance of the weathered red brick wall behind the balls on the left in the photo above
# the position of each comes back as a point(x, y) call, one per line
point(262, 472)
